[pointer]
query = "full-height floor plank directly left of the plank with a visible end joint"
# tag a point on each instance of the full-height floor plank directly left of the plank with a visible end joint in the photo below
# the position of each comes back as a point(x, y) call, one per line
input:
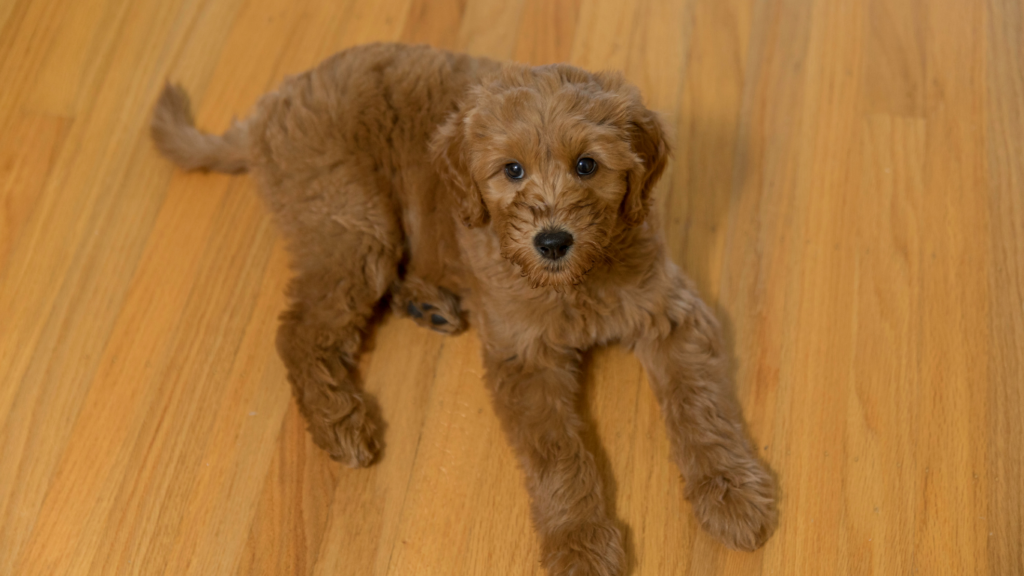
point(825, 324)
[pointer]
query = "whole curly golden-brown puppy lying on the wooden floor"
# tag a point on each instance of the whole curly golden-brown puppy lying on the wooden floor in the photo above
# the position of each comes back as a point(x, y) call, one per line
point(521, 196)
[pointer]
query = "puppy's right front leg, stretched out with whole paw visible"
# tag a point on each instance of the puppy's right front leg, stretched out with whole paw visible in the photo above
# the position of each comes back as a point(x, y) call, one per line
point(733, 495)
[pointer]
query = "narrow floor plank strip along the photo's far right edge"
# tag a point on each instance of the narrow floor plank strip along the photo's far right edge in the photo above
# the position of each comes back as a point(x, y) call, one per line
point(1005, 139)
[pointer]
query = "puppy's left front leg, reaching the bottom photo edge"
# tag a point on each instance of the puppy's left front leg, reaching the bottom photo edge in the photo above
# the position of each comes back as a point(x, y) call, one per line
point(536, 397)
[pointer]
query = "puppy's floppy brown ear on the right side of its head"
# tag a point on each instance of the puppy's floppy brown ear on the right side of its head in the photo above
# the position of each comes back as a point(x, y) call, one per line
point(649, 142)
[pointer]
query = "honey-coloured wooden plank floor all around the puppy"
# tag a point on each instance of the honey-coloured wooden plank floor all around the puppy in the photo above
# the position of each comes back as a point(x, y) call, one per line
point(847, 190)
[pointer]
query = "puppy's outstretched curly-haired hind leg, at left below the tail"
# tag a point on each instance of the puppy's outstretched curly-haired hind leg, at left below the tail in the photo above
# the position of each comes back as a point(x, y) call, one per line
point(346, 250)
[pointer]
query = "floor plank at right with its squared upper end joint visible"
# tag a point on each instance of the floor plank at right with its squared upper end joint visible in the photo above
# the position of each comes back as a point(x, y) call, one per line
point(886, 383)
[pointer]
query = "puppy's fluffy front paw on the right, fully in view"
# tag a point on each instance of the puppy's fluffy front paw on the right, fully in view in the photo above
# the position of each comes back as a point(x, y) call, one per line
point(739, 510)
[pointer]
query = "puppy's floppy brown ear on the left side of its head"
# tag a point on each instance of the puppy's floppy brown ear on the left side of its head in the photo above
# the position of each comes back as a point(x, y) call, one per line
point(450, 154)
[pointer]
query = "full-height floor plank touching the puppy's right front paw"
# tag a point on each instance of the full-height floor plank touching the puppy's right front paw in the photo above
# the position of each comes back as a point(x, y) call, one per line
point(760, 293)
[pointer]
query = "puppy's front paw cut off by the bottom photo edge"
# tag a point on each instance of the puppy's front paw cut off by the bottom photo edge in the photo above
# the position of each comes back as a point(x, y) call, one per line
point(591, 549)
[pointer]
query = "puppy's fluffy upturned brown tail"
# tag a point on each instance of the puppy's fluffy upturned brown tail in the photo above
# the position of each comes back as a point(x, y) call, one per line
point(176, 135)
